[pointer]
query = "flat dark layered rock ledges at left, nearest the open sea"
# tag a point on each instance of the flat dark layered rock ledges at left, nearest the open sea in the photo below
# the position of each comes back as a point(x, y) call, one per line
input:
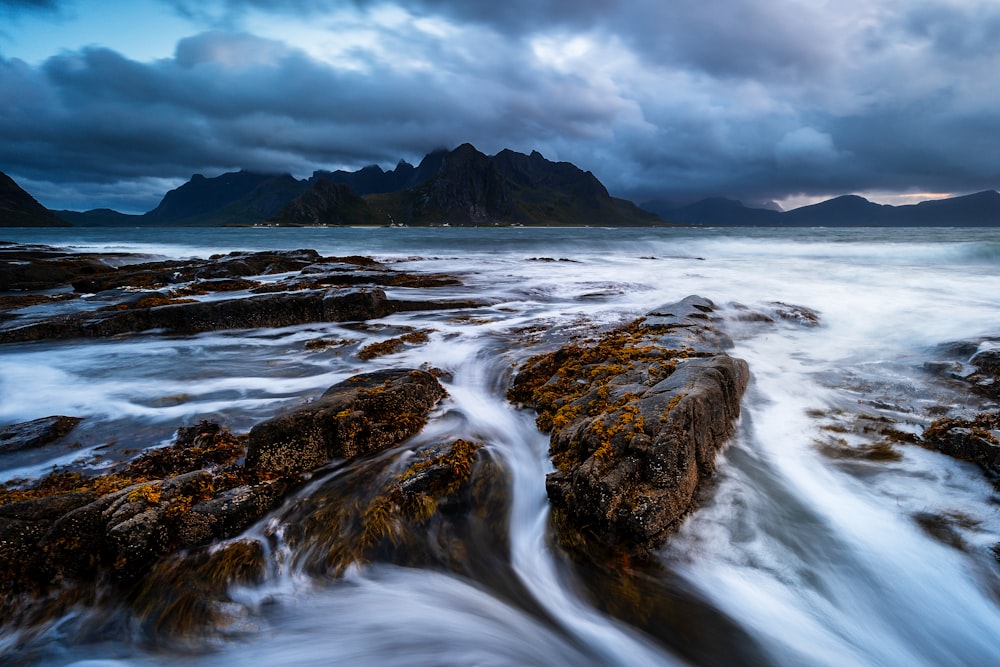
point(164, 296)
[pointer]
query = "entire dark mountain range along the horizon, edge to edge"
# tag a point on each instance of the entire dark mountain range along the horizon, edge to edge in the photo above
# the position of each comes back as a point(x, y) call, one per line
point(466, 187)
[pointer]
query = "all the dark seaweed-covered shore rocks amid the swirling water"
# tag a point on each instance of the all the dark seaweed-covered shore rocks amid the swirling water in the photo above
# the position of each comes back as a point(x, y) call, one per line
point(635, 417)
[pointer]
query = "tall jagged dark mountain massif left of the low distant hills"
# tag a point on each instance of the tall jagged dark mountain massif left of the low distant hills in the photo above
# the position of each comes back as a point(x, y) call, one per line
point(458, 187)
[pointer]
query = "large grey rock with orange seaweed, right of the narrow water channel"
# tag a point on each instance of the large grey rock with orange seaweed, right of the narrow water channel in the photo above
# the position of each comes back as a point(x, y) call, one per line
point(636, 419)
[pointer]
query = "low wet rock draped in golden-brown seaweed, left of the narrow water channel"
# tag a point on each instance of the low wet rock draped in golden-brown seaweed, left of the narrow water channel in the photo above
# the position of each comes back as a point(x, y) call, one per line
point(428, 507)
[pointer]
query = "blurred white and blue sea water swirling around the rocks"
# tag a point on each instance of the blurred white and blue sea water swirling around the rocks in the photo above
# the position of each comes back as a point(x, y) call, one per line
point(820, 559)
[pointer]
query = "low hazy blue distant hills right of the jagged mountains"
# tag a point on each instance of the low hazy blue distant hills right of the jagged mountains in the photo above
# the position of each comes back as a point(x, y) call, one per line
point(977, 210)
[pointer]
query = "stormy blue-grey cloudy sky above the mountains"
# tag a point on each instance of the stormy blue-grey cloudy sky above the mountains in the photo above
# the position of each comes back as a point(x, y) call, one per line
point(110, 103)
